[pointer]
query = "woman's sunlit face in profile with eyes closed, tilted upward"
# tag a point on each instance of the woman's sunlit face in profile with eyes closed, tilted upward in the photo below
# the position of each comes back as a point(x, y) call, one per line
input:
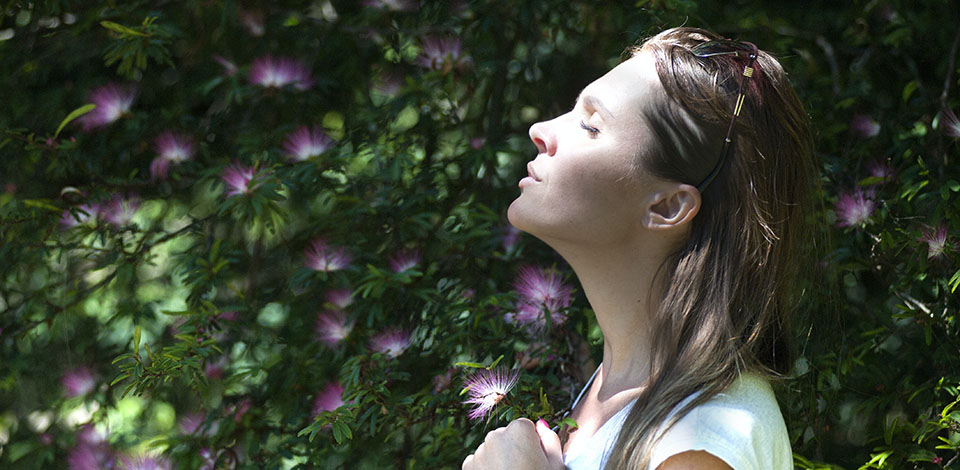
point(584, 186)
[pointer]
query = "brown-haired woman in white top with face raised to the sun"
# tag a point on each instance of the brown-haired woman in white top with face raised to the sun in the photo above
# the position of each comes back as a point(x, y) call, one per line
point(676, 189)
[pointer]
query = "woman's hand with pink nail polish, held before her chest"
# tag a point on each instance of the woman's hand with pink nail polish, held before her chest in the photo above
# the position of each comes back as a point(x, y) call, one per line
point(521, 445)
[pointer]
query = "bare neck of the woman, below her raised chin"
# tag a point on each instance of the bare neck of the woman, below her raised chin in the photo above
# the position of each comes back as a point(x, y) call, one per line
point(617, 280)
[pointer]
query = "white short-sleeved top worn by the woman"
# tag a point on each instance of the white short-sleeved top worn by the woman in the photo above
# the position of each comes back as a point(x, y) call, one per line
point(742, 426)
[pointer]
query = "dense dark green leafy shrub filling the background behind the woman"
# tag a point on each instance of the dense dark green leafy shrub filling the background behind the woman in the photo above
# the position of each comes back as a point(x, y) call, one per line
point(173, 301)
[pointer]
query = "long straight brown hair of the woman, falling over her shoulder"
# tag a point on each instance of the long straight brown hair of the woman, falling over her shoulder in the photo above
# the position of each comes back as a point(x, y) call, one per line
point(730, 291)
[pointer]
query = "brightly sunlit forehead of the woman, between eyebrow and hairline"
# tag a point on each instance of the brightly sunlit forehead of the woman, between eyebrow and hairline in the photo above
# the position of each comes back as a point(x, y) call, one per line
point(627, 86)
